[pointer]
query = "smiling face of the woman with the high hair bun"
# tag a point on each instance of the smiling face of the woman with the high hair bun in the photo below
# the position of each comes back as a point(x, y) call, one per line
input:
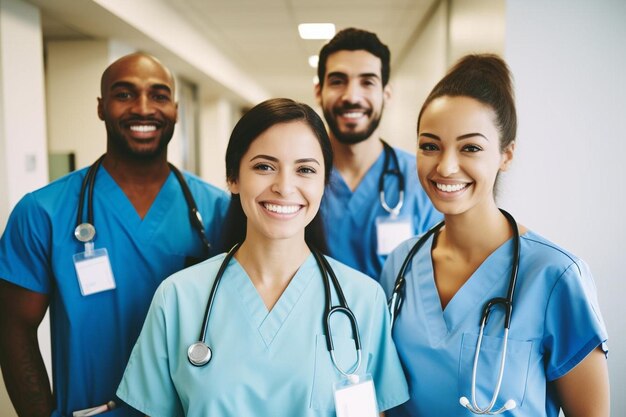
point(459, 154)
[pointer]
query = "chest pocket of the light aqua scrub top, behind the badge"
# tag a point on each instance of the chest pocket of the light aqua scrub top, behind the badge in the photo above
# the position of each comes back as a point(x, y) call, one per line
point(325, 372)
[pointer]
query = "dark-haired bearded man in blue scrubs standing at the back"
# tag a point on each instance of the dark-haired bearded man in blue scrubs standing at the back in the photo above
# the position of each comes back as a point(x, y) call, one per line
point(353, 72)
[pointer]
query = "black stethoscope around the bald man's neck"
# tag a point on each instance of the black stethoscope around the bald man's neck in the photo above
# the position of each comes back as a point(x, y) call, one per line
point(86, 231)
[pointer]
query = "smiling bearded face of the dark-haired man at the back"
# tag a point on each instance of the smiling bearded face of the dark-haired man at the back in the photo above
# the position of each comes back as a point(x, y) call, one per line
point(352, 95)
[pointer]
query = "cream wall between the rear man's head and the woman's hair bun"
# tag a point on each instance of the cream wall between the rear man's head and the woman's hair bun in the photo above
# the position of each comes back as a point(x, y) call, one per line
point(455, 28)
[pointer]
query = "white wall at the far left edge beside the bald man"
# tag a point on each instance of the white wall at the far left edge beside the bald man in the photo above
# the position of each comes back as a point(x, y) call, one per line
point(23, 162)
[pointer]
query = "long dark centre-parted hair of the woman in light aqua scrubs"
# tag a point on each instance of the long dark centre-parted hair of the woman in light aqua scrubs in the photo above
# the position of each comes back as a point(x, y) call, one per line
point(256, 121)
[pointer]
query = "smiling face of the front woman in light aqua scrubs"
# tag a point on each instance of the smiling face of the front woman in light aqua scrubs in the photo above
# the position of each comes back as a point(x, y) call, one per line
point(281, 182)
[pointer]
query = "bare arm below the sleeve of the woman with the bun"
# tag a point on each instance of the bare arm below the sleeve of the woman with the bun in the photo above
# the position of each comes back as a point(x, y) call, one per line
point(584, 391)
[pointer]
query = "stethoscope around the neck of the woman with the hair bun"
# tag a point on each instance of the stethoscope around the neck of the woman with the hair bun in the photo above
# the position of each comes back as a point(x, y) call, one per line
point(397, 296)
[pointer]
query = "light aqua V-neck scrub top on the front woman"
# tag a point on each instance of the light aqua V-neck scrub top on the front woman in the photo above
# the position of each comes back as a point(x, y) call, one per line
point(264, 363)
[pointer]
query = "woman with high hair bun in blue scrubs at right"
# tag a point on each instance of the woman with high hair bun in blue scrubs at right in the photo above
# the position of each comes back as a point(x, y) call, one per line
point(555, 354)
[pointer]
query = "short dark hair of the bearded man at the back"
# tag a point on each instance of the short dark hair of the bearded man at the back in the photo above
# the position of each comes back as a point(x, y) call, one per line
point(352, 39)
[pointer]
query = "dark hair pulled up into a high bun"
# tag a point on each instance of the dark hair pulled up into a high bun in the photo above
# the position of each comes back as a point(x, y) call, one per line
point(486, 78)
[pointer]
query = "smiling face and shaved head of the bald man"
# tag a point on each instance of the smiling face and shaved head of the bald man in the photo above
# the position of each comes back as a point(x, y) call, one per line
point(137, 107)
